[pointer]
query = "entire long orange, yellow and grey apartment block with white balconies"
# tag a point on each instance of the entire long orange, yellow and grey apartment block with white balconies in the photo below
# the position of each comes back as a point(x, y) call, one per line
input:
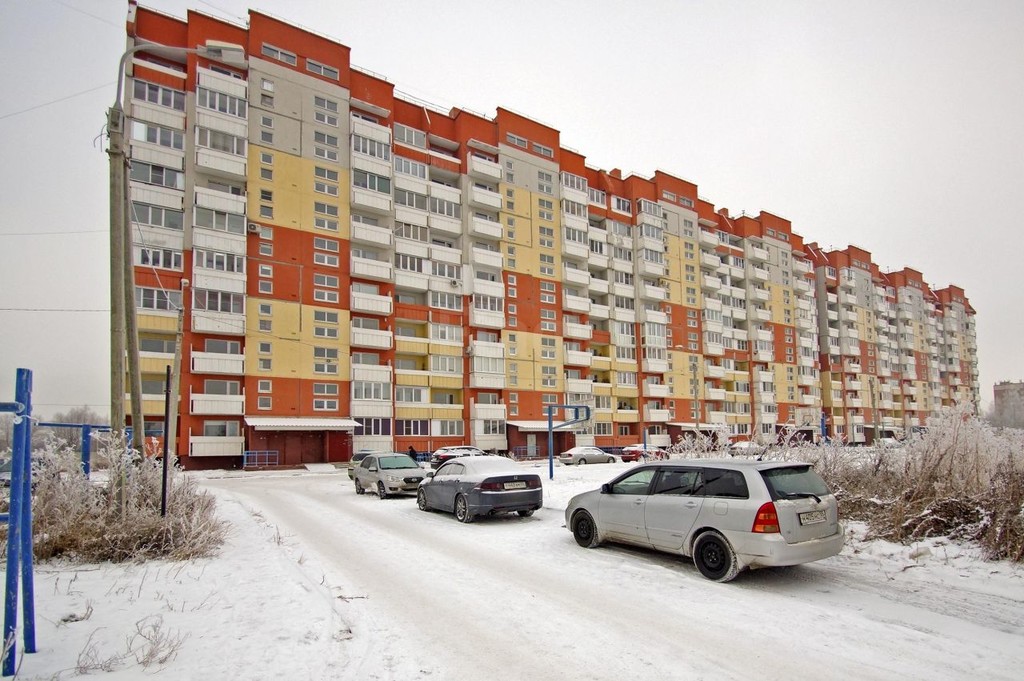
point(369, 272)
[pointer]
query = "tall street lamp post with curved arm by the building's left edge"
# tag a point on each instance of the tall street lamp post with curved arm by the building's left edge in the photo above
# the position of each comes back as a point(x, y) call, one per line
point(124, 336)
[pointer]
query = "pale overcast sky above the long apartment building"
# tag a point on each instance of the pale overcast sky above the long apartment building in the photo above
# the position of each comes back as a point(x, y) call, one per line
point(893, 126)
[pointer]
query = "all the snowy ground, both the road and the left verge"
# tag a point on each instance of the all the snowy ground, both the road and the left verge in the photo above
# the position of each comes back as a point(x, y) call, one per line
point(318, 583)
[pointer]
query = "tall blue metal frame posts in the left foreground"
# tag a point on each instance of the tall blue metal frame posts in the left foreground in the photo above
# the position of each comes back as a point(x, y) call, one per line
point(20, 526)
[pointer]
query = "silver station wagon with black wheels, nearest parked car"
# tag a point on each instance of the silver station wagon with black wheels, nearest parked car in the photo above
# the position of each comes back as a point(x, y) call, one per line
point(729, 516)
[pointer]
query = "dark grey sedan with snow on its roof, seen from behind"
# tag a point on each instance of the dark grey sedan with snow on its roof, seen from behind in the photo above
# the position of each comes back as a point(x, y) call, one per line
point(472, 487)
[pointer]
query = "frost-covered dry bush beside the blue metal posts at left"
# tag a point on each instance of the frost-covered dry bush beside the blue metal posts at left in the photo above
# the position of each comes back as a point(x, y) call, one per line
point(116, 517)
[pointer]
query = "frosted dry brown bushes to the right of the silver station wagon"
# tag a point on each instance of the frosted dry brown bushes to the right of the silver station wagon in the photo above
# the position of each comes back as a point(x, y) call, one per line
point(961, 480)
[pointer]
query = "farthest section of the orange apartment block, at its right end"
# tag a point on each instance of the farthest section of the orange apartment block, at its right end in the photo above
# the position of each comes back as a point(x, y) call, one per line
point(894, 351)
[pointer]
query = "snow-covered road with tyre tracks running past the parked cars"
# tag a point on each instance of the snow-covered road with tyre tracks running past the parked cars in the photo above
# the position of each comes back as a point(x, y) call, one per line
point(428, 598)
